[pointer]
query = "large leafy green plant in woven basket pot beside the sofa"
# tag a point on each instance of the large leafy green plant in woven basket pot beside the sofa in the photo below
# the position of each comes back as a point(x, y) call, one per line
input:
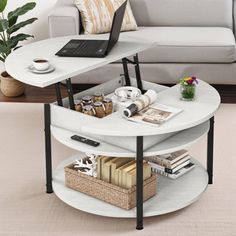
point(9, 40)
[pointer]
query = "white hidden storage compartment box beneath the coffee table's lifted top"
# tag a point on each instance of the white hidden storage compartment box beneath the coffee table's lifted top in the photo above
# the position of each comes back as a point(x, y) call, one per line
point(65, 118)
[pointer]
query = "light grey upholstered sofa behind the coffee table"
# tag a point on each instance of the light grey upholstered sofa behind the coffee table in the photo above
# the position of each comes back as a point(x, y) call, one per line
point(191, 37)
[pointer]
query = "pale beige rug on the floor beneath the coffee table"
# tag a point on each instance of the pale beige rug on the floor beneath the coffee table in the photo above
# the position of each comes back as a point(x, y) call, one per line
point(26, 210)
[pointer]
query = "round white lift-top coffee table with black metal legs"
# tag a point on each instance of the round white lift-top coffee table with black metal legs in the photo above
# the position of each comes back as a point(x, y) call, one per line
point(115, 132)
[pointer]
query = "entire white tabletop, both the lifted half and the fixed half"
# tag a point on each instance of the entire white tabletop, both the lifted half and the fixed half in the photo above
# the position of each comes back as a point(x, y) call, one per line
point(194, 113)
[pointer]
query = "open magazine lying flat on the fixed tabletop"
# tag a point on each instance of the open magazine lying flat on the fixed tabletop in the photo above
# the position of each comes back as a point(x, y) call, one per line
point(155, 114)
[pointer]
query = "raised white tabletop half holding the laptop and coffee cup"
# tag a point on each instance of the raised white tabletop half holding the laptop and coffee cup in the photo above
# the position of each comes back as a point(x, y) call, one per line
point(18, 62)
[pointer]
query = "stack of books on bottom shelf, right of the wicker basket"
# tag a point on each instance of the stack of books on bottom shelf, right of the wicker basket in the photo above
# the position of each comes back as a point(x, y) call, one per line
point(171, 165)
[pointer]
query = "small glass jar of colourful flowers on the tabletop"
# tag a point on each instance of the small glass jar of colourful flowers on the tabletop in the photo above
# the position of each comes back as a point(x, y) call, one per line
point(188, 88)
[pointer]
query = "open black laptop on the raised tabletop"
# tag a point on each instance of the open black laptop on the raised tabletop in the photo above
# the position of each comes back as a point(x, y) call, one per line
point(95, 48)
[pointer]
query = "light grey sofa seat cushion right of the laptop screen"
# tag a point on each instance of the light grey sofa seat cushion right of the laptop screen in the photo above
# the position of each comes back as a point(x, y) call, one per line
point(186, 44)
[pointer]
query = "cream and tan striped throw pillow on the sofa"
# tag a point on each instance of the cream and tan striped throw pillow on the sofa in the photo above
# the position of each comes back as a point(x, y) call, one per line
point(97, 15)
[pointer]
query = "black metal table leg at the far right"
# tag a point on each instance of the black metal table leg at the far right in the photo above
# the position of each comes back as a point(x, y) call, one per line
point(210, 150)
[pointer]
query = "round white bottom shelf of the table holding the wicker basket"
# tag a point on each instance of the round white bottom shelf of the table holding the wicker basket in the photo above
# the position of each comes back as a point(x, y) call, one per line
point(172, 195)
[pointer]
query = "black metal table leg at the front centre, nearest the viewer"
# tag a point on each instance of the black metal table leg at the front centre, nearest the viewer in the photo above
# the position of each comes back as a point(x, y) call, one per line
point(139, 183)
